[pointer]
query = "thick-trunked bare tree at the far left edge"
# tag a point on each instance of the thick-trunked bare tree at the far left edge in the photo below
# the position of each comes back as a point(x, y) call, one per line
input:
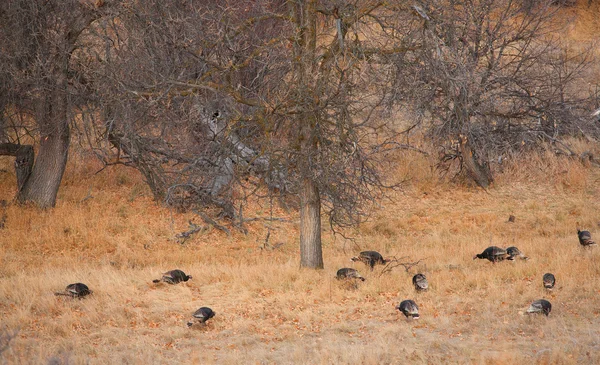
point(38, 39)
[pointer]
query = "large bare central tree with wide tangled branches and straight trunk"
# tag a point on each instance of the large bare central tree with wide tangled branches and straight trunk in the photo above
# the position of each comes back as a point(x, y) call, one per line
point(214, 99)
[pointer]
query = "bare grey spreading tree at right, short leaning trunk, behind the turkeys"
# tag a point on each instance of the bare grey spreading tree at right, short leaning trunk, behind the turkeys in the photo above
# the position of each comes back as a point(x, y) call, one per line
point(492, 78)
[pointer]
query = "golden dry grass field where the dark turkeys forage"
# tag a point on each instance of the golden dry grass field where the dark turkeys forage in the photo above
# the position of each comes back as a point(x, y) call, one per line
point(271, 312)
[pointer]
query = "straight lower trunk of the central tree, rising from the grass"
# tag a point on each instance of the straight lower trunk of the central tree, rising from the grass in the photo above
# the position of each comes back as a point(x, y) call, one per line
point(311, 254)
